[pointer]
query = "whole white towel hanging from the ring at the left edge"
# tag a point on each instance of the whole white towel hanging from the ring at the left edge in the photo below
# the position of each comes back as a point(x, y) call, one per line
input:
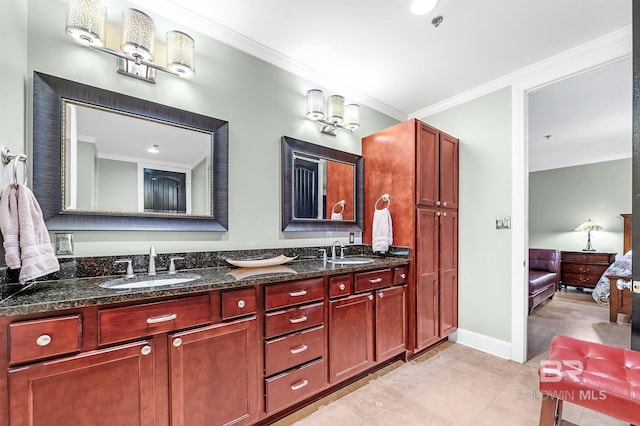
point(26, 239)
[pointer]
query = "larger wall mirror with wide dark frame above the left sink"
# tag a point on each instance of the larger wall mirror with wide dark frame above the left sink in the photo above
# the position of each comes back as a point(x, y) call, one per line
point(107, 161)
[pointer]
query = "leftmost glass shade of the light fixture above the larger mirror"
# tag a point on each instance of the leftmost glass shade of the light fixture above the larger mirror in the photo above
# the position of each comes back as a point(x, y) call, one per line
point(85, 22)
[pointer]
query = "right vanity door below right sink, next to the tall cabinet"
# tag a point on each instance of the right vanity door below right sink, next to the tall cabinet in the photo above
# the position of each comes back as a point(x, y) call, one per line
point(391, 326)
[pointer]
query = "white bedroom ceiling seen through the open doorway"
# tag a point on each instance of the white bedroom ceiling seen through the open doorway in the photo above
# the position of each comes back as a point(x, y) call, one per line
point(587, 117)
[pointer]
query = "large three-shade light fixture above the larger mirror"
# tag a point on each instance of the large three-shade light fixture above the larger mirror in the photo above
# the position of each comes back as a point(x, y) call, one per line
point(86, 23)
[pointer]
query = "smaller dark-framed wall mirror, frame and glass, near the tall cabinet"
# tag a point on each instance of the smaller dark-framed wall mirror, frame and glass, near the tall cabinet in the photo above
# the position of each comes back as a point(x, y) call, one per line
point(322, 188)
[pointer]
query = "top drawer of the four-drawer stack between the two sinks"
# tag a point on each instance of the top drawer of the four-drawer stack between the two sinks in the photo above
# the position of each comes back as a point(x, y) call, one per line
point(293, 293)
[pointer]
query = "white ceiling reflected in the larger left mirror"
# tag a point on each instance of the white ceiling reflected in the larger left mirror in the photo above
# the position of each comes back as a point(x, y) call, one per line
point(113, 134)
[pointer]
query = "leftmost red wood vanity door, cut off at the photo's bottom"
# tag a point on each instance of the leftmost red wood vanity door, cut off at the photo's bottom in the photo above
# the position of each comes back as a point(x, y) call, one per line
point(112, 386)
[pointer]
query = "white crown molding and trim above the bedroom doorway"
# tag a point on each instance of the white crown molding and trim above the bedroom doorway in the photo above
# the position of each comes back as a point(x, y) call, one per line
point(609, 48)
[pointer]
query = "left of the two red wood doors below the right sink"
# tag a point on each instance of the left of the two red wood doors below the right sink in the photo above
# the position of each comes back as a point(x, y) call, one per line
point(350, 336)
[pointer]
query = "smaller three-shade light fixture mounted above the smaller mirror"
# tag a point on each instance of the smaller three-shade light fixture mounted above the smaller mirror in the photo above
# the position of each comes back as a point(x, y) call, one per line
point(338, 115)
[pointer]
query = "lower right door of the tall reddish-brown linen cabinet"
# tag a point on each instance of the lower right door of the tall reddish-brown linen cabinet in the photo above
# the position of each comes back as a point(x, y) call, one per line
point(448, 279)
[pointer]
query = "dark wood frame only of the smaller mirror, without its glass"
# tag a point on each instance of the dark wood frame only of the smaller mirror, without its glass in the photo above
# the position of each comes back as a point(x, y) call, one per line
point(289, 223)
